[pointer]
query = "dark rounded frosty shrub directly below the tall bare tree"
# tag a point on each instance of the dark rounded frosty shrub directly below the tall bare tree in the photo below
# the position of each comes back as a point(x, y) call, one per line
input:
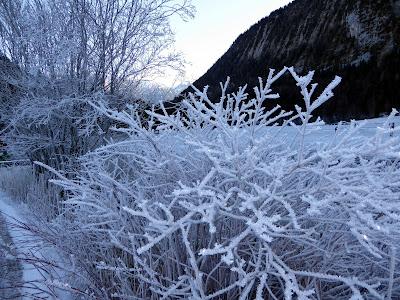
point(51, 128)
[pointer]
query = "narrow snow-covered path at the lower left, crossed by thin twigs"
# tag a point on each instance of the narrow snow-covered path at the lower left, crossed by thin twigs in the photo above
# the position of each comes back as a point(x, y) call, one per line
point(30, 251)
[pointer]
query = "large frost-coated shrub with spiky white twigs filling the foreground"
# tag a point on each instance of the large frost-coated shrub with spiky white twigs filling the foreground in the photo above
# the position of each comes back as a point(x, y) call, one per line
point(226, 200)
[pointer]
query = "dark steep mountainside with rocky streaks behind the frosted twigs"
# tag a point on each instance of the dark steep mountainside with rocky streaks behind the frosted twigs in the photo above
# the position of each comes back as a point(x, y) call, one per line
point(355, 39)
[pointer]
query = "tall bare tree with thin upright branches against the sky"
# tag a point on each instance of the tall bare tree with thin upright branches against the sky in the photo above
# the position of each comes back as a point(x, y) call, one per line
point(97, 45)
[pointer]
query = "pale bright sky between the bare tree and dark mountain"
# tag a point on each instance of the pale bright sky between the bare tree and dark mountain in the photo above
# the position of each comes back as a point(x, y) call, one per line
point(216, 25)
